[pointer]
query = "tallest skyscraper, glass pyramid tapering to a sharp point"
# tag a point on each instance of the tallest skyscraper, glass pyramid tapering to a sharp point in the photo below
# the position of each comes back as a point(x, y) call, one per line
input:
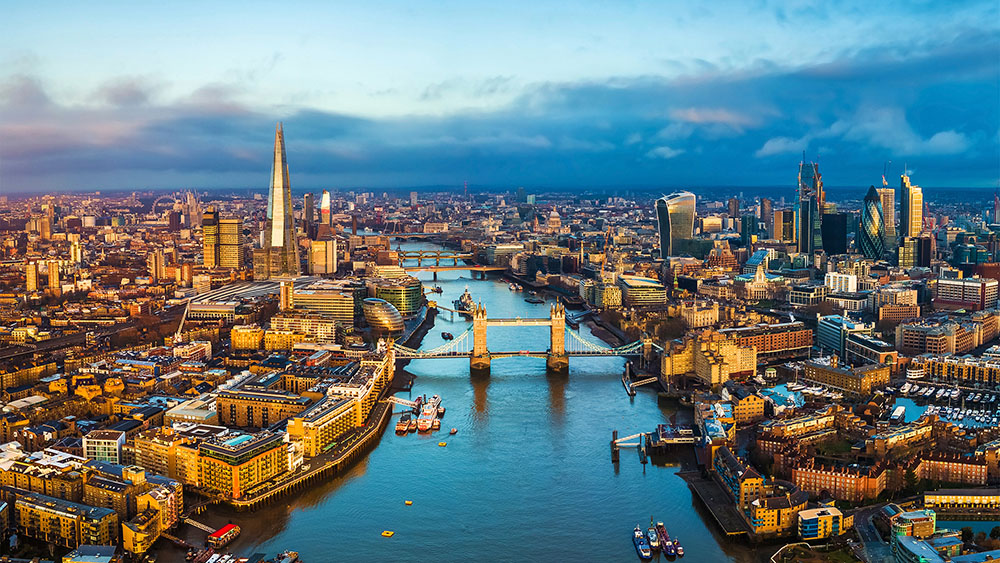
point(280, 256)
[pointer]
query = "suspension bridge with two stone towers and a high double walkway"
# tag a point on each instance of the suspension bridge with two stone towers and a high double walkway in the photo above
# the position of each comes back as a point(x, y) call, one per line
point(472, 343)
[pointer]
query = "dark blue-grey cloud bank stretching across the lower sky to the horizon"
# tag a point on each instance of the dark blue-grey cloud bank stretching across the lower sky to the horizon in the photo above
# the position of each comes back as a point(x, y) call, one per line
point(936, 106)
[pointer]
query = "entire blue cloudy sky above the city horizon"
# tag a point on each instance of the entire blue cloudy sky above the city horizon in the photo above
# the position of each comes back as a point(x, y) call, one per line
point(118, 95)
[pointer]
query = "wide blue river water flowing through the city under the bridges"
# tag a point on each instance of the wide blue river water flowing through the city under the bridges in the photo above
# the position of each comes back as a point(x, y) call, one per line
point(528, 476)
